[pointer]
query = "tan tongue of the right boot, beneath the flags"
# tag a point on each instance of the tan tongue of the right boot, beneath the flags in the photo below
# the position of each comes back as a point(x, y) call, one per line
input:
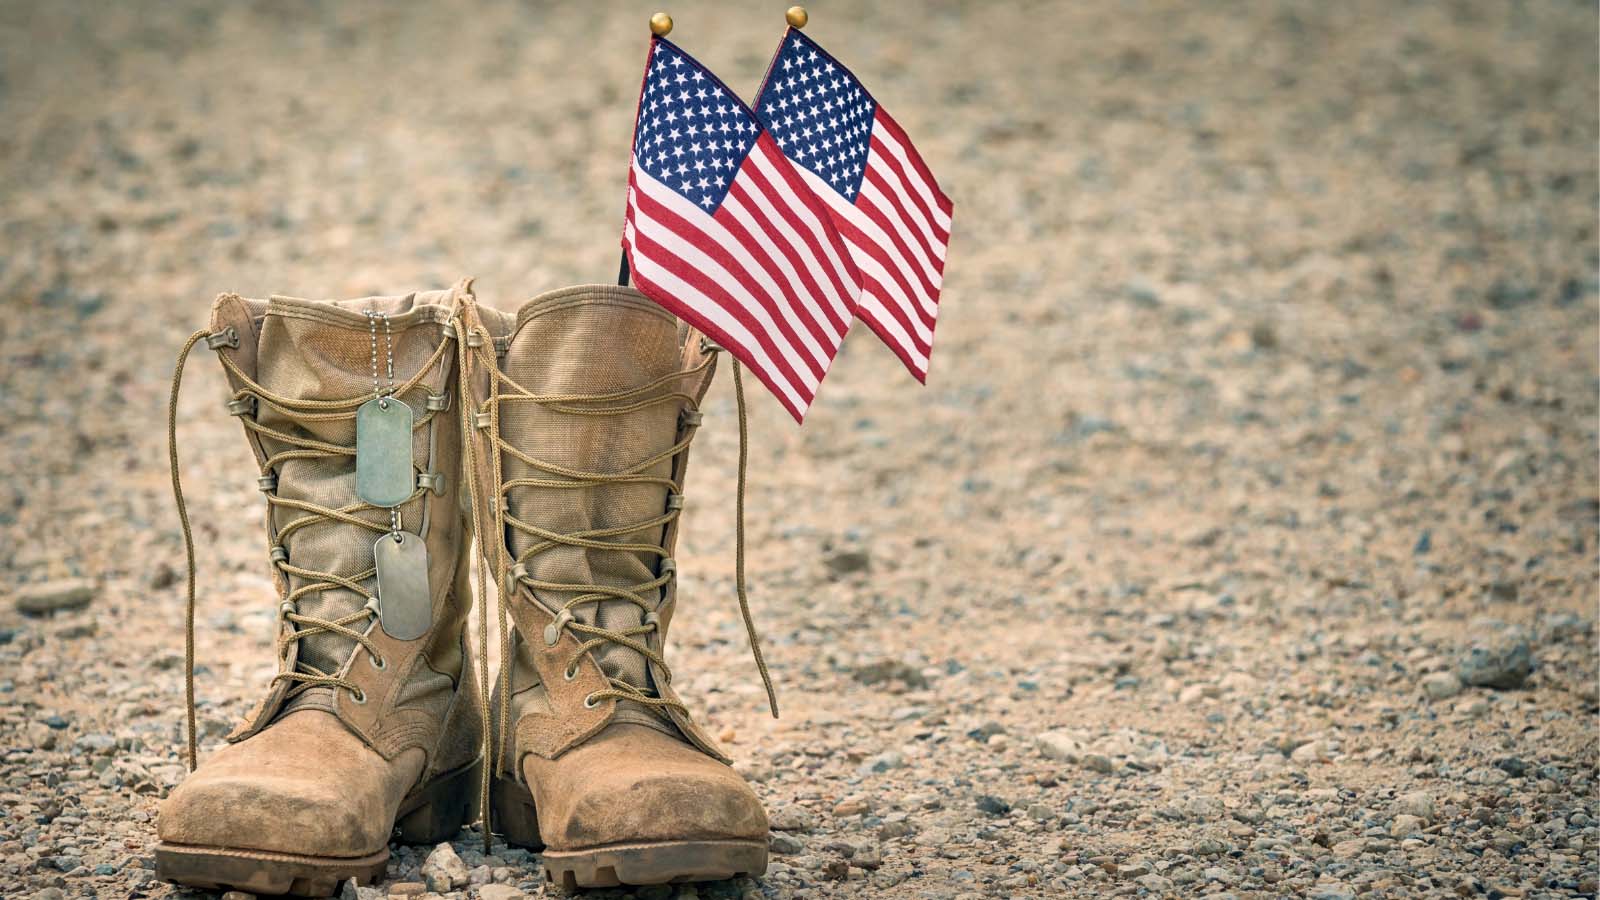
point(593, 340)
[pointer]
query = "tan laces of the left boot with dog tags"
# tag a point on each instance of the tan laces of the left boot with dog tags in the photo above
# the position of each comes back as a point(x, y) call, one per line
point(305, 677)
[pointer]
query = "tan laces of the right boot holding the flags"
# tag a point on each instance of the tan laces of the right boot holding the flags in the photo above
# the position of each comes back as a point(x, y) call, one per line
point(514, 573)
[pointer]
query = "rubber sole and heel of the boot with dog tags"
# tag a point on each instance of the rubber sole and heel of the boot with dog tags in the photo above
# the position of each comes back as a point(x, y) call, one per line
point(434, 814)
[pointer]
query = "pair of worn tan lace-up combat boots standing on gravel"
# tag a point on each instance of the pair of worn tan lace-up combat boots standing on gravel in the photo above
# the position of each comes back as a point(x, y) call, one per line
point(391, 432)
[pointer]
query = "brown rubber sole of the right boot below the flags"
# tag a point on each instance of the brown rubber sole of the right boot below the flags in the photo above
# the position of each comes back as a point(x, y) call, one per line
point(665, 862)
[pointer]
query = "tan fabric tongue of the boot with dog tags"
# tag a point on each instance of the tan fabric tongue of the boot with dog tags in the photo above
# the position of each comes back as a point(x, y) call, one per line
point(322, 352)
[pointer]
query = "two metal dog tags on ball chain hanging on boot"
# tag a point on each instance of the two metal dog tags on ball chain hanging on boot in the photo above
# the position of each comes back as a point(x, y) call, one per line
point(386, 478)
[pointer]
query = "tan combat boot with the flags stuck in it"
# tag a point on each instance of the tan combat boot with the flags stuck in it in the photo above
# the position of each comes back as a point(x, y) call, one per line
point(583, 436)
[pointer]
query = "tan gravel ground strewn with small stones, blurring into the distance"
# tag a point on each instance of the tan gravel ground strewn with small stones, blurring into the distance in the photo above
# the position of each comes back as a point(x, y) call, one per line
point(1241, 545)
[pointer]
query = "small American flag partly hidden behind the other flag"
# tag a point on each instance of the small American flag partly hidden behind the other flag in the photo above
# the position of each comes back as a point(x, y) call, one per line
point(884, 199)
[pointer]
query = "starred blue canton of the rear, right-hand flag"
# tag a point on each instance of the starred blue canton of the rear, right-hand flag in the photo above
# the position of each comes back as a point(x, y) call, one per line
point(818, 113)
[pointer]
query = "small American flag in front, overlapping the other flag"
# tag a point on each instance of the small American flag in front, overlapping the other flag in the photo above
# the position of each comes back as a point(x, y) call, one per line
point(722, 231)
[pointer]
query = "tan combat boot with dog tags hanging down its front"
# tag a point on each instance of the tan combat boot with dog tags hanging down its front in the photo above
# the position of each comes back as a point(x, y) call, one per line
point(374, 721)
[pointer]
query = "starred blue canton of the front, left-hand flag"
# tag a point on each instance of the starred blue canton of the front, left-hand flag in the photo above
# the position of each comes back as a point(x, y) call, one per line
point(694, 134)
